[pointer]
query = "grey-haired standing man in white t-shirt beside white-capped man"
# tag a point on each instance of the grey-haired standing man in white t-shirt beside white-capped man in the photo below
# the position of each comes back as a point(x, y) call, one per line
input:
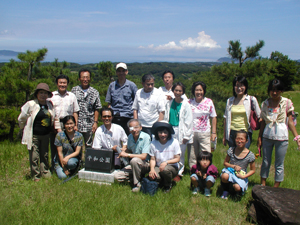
point(147, 105)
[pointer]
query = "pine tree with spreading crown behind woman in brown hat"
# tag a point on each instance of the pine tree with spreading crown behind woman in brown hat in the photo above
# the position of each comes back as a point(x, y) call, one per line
point(30, 59)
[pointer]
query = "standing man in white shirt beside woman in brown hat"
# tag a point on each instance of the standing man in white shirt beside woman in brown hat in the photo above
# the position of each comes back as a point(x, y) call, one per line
point(64, 104)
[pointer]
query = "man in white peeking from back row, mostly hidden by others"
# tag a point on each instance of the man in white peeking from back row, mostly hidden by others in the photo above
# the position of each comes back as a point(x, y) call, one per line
point(168, 78)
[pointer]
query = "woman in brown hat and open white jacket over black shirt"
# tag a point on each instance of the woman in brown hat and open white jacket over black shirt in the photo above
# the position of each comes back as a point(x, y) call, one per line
point(37, 117)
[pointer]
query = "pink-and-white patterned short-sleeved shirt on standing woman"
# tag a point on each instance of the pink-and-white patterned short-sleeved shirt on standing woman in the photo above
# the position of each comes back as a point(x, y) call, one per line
point(201, 114)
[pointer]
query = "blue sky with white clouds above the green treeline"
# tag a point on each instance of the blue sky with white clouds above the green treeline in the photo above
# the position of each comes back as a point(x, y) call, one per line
point(91, 31)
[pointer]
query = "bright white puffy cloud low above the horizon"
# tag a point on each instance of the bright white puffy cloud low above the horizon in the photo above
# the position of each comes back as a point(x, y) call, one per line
point(202, 41)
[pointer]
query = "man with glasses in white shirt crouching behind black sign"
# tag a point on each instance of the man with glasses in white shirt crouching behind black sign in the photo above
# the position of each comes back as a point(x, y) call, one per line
point(110, 135)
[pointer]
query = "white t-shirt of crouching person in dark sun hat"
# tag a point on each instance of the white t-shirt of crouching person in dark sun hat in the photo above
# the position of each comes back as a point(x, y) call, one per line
point(164, 152)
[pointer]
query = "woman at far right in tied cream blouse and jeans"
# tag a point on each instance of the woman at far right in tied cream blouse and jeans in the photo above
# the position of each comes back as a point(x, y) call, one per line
point(276, 114)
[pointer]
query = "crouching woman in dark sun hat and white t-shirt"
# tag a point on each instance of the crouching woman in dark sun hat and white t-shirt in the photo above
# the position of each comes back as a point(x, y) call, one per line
point(165, 154)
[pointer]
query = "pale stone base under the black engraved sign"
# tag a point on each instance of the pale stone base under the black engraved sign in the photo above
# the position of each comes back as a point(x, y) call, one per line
point(96, 177)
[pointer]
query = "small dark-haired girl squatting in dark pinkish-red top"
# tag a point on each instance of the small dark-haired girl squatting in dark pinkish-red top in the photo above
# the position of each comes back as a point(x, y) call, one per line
point(203, 173)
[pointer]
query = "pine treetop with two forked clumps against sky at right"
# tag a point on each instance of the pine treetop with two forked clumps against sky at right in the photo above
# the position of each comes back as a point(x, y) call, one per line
point(235, 50)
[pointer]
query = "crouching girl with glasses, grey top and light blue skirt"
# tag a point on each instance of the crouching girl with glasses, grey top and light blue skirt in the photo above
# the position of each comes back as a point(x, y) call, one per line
point(235, 175)
